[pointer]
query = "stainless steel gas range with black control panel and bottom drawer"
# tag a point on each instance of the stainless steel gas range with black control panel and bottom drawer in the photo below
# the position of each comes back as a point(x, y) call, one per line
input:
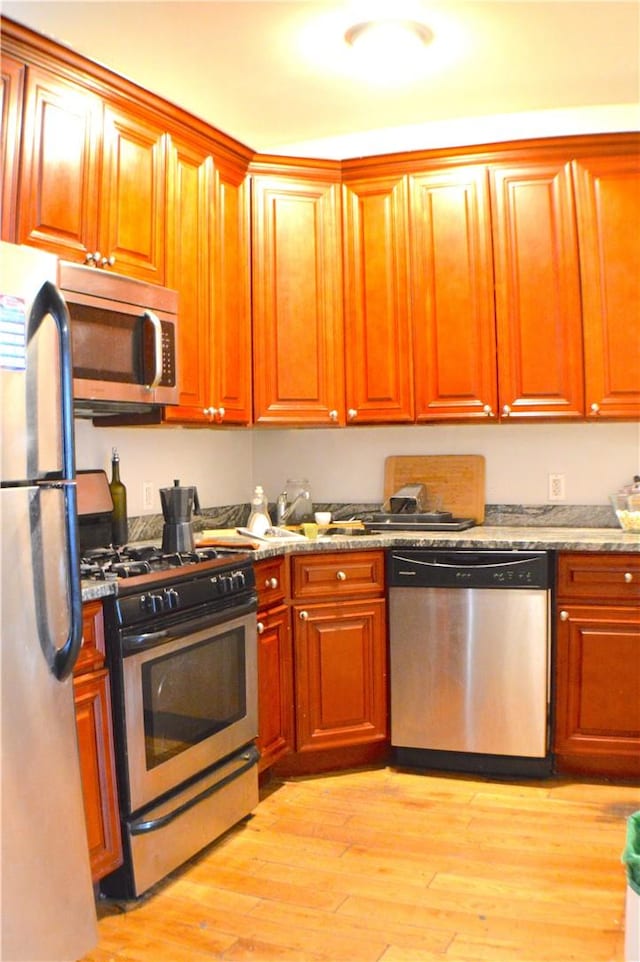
point(182, 652)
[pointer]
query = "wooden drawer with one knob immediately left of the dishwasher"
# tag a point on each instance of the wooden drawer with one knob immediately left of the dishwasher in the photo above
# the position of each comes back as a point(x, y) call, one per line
point(337, 575)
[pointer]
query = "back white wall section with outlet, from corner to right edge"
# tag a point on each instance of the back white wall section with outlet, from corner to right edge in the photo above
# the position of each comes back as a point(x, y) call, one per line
point(348, 465)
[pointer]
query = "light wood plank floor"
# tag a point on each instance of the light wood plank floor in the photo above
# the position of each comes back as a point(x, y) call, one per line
point(382, 865)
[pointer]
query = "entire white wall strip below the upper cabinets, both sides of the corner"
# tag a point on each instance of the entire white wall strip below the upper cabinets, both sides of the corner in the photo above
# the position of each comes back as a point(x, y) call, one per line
point(348, 464)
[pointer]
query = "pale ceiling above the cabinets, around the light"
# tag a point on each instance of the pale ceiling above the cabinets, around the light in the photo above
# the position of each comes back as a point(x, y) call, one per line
point(278, 76)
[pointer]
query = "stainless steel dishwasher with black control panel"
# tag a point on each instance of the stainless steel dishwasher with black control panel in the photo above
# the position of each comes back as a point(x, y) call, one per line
point(470, 659)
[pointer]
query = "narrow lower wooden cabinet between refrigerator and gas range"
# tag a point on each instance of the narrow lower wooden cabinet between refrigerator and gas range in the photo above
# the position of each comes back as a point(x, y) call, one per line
point(95, 743)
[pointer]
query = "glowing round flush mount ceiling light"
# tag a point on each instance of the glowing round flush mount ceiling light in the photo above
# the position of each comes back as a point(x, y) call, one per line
point(390, 44)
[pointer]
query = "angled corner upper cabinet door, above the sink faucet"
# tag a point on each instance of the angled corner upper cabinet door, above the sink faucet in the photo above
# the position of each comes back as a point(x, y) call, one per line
point(298, 344)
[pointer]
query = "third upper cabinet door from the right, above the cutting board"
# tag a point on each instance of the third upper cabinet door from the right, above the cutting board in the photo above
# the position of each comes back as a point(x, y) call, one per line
point(452, 295)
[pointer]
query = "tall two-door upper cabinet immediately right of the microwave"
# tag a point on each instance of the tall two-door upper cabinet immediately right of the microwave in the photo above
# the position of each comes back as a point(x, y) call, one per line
point(207, 263)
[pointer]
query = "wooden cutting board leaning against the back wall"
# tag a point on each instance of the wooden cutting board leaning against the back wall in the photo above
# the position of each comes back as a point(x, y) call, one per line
point(454, 482)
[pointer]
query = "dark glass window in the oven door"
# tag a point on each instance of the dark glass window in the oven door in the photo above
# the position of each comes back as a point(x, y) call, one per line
point(192, 694)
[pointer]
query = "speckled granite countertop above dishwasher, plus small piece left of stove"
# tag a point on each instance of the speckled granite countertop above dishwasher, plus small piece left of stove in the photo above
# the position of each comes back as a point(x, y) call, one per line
point(500, 537)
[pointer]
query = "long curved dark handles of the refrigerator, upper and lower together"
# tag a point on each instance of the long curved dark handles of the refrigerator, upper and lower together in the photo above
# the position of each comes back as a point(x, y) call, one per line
point(49, 301)
